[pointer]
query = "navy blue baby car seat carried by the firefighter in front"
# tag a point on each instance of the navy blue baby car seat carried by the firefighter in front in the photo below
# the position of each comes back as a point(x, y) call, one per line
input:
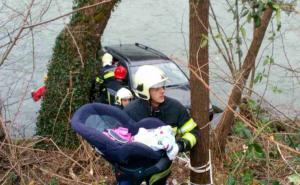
point(133, 162)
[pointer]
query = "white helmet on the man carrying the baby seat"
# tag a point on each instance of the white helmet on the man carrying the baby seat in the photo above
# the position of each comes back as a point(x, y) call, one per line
point(147, 77)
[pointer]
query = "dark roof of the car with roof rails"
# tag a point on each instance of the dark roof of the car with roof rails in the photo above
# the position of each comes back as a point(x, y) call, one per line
point(135, 52)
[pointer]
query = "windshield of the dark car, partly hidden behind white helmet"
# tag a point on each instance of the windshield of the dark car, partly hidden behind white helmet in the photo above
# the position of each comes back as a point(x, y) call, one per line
point(172, 71)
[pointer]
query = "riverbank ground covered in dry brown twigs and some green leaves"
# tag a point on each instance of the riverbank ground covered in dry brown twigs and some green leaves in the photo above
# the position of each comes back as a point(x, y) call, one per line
point(248, 159)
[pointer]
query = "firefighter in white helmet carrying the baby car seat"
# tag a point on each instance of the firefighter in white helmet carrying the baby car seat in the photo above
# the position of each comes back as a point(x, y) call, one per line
point(150, 84)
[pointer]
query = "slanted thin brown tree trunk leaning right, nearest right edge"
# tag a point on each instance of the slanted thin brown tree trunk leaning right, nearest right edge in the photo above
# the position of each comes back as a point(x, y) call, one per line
point(223, 128)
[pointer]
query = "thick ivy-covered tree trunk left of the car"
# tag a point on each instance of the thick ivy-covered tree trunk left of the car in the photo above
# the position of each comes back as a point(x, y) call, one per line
point(73, 65)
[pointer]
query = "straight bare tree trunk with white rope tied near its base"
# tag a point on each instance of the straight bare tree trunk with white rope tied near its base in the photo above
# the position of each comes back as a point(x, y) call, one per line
point(199, 94)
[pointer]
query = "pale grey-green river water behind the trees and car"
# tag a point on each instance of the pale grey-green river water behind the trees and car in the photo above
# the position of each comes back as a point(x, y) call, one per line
point(162, 25)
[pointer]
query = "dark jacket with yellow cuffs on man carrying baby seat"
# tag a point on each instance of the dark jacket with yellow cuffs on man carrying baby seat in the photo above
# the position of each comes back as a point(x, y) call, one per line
point(170, 112)
